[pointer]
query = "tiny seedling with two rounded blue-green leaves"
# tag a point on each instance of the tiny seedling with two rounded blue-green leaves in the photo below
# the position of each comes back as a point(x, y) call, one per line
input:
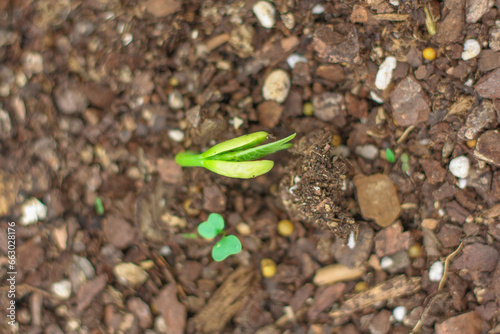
point(227, 245)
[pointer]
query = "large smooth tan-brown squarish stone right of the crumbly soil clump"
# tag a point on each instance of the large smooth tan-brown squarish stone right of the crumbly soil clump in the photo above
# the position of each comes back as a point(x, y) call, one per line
point(378, 198)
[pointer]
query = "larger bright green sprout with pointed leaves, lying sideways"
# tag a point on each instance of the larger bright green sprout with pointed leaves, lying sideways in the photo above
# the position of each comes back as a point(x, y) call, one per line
point(236, 157)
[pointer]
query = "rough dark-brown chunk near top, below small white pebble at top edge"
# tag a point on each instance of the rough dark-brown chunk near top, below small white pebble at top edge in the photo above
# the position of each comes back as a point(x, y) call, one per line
point(336, 45)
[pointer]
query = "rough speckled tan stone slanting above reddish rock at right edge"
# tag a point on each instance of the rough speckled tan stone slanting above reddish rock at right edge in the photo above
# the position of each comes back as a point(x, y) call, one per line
point(479, 118)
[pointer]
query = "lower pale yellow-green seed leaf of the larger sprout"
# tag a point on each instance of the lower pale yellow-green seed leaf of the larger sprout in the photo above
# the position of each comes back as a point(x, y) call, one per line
point(240, 170)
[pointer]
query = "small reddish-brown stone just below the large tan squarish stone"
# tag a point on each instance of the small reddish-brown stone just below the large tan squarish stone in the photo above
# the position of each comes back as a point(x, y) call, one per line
point(392, 240)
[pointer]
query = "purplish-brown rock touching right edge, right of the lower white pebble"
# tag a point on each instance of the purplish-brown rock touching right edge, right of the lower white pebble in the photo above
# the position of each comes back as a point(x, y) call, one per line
point(477, 258)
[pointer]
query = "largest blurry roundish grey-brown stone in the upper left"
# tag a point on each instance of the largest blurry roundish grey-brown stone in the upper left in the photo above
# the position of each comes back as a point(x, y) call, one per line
point(70, 99)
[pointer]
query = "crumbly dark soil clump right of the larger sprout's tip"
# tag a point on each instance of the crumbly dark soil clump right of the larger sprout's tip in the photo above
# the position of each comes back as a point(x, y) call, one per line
point(312, 190)
